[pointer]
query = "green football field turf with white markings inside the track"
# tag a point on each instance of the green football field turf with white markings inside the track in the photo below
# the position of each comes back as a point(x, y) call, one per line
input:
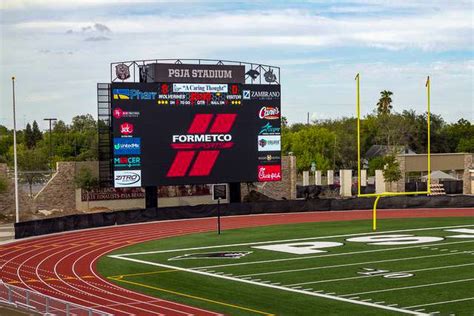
point(349, 277)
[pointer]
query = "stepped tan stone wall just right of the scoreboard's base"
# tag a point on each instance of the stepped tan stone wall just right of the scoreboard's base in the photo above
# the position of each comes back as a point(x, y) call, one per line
point(286, 188)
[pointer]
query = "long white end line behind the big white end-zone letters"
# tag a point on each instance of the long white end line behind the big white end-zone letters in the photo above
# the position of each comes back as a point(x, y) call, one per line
point(287, 240)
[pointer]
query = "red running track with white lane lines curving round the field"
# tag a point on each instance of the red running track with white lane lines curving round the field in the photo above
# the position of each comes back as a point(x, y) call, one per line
point(64, 265)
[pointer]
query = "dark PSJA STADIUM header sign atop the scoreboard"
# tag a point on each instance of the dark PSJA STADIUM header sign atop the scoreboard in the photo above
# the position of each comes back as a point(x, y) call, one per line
point(199, 73)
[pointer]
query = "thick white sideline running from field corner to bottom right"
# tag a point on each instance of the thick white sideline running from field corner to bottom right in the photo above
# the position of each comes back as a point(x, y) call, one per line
point(277, 287)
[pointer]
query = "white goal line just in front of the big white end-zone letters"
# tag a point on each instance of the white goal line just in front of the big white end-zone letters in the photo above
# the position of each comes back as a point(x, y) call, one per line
point(322, 256)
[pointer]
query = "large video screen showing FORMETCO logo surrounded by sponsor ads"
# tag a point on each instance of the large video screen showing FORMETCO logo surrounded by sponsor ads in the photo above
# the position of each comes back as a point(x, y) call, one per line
point(195, 133)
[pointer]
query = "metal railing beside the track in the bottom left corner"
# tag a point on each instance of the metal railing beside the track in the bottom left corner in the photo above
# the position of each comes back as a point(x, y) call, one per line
point(20, 298)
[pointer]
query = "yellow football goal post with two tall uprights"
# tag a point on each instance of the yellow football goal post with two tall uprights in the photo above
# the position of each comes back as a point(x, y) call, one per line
point(379, 195)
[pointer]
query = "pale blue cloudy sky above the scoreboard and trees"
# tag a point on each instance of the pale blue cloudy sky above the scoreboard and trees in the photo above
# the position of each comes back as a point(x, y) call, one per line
point(59, 50)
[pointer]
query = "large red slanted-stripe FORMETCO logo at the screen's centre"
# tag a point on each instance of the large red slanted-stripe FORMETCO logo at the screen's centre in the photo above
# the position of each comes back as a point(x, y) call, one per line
point(201, 135)
